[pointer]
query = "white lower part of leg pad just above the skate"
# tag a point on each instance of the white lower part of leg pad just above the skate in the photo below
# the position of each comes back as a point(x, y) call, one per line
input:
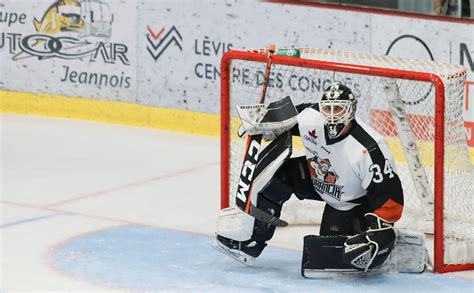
point(235, 224)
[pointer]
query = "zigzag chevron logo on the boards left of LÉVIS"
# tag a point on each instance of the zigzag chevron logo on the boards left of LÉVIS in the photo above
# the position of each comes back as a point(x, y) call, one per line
point(159, 41)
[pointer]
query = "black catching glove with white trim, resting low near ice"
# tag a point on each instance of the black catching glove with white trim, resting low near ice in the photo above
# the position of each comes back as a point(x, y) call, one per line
point(369, 249)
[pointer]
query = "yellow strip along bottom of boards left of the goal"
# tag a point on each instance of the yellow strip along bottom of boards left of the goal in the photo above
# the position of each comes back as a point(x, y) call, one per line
point(109, 111)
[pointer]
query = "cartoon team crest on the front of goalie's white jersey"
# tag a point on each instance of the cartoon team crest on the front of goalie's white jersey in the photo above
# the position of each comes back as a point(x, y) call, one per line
point(324, 177)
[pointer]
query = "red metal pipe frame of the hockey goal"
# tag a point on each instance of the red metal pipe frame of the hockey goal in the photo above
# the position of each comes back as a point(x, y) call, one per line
point(439, 131)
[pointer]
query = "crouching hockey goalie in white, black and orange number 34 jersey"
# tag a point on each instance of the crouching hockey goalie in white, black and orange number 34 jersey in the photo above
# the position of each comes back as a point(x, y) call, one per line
point(347, 165)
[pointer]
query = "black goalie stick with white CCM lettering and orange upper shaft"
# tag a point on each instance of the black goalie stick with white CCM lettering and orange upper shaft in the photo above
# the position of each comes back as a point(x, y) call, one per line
point(252, 150)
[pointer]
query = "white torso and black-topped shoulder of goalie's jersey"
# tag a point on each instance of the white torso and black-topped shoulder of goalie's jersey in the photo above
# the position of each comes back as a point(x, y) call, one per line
point(341, 169)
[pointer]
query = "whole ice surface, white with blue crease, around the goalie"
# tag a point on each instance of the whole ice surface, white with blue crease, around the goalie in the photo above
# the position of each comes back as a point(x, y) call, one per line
point(92, 207)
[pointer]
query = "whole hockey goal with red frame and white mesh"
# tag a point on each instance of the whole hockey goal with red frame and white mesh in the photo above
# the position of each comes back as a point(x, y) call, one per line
point(432, 95)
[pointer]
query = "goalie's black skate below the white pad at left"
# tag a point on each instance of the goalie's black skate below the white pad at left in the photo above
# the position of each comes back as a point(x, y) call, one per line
point(242, 251)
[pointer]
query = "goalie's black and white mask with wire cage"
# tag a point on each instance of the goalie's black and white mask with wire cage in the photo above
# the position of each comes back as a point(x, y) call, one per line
point(338, 107)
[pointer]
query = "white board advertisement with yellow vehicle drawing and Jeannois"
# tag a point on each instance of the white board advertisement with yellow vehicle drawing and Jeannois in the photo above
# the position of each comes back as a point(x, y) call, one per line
point(82, 48)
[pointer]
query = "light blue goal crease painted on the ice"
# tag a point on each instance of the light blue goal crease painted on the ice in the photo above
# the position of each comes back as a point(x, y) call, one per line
point(150, 259)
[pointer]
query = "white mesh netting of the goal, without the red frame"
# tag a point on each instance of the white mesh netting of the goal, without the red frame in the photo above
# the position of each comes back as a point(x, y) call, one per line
point(305, 84)
